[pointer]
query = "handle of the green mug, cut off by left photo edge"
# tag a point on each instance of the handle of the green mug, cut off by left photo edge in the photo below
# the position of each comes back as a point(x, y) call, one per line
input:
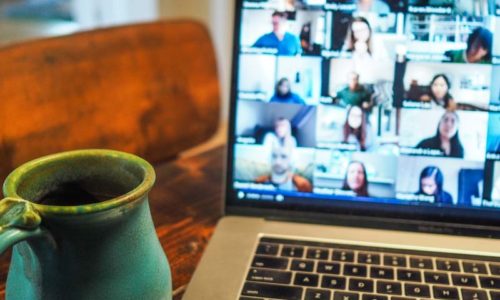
point(18, 221)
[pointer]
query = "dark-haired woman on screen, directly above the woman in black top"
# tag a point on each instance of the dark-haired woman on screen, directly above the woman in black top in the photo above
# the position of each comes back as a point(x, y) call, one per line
point(439, 93)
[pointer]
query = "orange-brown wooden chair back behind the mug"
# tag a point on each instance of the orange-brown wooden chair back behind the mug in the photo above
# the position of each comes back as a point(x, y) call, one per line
point(149, 89)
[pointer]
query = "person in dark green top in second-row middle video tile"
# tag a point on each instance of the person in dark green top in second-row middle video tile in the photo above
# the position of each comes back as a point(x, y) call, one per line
point(354, 94)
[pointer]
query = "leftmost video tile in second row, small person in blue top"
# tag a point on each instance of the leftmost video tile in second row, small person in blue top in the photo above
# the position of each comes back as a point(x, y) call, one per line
point(280, 79)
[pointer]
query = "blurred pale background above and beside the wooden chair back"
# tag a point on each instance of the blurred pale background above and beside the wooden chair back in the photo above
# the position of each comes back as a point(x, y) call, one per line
point(22, 20)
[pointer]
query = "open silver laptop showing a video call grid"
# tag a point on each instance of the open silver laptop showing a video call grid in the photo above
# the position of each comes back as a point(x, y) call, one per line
point(363, 160)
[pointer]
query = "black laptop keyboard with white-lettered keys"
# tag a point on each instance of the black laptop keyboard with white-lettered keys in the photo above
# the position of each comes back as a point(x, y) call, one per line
point(303, 270)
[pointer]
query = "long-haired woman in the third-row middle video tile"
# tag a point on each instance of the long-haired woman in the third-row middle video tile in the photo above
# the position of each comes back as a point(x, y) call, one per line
point(356, 130)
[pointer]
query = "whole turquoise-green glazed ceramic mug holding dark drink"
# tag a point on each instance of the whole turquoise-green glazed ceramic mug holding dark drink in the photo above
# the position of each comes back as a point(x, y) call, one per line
point(80, 226)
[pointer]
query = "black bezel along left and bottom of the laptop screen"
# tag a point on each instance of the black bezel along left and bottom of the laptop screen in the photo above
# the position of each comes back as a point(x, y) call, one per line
point(475, 221)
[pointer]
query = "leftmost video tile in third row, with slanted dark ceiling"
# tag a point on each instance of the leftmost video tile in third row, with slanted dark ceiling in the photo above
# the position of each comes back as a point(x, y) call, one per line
point(269, 124)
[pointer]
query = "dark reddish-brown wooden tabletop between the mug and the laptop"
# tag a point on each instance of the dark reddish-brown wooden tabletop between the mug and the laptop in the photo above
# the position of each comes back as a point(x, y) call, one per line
point(186, 204)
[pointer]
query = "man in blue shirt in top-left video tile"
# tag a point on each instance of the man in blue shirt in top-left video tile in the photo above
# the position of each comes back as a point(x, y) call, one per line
point(285, 42)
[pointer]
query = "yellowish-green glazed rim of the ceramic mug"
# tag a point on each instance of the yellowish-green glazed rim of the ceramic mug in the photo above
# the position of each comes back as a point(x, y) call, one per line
point(15, 177)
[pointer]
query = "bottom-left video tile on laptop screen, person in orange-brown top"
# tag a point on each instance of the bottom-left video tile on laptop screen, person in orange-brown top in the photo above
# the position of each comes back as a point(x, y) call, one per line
point(274, 168)
